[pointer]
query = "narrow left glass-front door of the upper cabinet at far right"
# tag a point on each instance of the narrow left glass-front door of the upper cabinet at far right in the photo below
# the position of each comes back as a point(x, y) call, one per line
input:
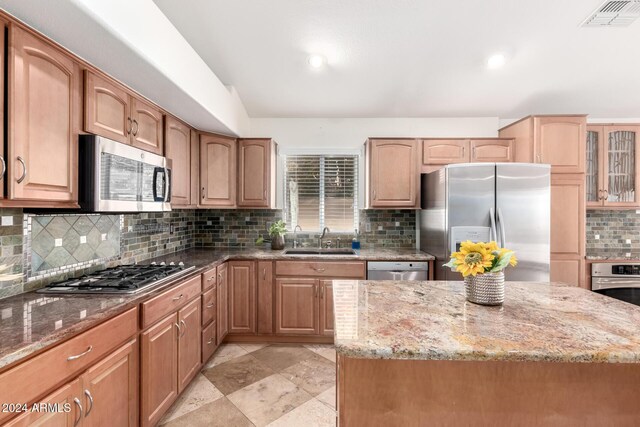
point(594, 152)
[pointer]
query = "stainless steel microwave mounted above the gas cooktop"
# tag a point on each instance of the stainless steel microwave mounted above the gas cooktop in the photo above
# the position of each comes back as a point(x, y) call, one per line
point(116, 177)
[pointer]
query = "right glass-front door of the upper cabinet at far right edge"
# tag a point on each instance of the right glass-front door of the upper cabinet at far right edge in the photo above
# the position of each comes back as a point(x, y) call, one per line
point(620, 175)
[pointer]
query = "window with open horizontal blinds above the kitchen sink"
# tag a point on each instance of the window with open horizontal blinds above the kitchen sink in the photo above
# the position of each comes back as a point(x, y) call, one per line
point(321, 191)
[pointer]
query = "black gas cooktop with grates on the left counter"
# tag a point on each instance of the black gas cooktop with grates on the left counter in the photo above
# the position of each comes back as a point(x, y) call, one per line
point(125, 279)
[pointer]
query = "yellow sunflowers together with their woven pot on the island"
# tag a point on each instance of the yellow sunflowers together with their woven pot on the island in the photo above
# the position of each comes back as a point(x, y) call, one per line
point(482, 266)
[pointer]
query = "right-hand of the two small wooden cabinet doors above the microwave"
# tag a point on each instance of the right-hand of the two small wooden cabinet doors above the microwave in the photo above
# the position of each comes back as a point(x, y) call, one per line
point(146, 129)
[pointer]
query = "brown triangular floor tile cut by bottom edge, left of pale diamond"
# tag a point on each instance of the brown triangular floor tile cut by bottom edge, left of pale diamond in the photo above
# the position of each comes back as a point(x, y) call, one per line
point(220, 413)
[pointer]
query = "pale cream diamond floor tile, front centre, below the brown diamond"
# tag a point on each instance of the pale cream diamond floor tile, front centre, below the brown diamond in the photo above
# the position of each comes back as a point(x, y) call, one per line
point(267, 400)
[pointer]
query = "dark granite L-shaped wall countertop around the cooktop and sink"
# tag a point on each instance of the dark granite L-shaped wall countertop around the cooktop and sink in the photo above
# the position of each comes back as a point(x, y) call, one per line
point(32, 322)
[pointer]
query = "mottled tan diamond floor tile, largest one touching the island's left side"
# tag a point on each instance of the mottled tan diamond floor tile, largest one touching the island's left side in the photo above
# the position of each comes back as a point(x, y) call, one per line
point(313, 375)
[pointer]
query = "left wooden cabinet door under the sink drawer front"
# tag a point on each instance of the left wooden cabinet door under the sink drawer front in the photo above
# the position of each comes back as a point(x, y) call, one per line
point(297, 306)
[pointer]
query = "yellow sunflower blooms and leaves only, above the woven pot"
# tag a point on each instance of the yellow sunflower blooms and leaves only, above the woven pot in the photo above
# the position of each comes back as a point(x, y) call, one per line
point(479, 258)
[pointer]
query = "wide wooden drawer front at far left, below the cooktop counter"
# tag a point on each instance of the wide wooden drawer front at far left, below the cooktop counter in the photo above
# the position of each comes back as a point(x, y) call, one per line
point(37, 376)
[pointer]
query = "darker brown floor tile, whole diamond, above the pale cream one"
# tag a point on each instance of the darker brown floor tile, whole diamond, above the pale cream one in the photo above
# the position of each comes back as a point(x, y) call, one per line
point(237, 373)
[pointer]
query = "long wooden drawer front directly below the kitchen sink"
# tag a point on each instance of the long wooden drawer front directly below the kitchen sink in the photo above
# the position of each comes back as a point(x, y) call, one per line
point(347, 269)
